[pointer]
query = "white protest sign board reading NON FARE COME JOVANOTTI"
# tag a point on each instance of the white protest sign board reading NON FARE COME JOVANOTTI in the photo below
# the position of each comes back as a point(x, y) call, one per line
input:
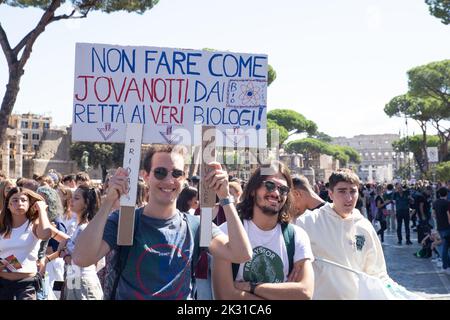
point(167, 90)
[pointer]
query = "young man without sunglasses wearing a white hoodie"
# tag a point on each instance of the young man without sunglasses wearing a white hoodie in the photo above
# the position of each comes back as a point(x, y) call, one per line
point(340, 234)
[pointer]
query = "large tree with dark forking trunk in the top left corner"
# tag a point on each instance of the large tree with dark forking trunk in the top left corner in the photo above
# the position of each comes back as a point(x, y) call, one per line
point(18, 56)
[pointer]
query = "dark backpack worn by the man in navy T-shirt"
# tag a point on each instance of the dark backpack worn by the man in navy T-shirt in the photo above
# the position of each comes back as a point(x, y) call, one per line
point(118, 257)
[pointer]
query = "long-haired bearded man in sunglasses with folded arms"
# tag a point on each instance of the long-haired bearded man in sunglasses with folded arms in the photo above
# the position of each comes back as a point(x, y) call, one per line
point(277, 245)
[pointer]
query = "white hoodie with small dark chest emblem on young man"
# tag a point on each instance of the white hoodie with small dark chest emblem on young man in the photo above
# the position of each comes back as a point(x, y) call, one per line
point(351, 242)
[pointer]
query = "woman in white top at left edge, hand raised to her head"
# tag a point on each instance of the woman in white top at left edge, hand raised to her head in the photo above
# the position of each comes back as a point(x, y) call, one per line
point(23, 224)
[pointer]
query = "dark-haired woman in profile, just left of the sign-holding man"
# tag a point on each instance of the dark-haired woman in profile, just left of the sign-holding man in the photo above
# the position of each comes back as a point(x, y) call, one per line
point(82, 283)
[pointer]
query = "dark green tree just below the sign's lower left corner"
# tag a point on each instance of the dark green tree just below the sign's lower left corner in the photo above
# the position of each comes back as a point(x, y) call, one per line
point(105, 155)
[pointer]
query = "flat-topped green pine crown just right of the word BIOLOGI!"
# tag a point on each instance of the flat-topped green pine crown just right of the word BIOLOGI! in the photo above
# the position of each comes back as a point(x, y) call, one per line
point(292, 120)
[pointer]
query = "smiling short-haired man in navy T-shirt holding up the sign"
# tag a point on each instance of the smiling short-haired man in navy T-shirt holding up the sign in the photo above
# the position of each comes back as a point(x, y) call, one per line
point(160, 261)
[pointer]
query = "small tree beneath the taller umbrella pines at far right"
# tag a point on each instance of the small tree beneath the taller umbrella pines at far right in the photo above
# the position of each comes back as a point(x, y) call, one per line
point(414, 144)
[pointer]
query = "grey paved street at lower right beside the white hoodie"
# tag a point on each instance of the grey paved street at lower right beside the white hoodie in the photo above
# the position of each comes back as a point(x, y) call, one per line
point(418, 275)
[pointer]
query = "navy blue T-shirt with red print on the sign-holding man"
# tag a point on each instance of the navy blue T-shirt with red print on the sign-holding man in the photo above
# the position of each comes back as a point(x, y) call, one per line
point(160, 260)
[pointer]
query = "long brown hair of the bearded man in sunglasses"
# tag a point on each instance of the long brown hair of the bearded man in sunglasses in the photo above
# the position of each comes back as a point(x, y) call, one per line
point(245, 207)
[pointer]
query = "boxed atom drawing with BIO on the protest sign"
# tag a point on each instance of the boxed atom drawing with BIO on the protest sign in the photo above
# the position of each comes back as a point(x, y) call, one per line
point(246, 93)
